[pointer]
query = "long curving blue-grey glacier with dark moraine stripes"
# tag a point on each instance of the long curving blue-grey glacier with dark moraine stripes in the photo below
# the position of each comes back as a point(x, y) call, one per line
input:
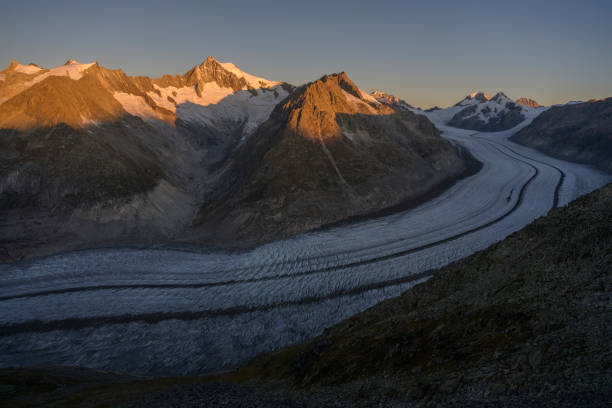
point(185, 310)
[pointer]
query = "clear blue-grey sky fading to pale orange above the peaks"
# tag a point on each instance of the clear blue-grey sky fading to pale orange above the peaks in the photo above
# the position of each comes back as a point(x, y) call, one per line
point(426, 52)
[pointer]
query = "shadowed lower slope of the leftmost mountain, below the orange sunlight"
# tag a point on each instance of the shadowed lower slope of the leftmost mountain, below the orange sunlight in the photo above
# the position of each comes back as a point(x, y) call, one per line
point(64, 188)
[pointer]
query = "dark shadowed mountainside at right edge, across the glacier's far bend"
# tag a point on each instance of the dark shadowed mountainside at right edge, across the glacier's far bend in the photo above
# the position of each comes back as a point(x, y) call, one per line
point(579, 132)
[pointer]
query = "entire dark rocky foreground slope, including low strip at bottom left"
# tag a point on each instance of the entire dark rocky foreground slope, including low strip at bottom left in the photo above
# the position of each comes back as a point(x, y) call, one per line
point(526, 322)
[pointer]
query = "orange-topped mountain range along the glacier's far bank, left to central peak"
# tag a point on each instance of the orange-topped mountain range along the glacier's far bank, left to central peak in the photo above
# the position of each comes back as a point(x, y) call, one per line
point(91, 155)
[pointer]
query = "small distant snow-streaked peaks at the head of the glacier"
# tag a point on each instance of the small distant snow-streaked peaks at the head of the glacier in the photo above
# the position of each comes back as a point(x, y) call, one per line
point(486, 114)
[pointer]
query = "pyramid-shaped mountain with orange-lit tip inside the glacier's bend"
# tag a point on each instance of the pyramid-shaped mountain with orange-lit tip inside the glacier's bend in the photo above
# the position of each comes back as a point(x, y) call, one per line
point(326, 153)
